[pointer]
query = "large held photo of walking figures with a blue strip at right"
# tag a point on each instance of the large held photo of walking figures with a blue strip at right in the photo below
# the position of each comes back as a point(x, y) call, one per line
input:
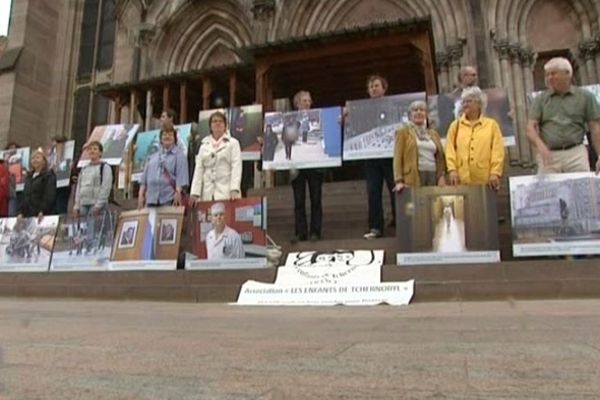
point(303, 139)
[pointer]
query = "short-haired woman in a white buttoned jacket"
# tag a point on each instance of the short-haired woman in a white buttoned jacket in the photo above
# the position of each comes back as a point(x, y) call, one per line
point(218, 171)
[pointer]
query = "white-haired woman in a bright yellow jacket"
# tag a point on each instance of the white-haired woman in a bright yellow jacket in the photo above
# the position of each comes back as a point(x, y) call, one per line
point(474, 145)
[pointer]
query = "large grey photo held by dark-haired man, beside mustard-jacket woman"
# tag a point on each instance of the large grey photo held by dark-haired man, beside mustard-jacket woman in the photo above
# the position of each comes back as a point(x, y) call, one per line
point(371, 124)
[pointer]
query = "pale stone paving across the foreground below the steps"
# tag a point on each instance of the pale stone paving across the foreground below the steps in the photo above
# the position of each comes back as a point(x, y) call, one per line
point(147, 350)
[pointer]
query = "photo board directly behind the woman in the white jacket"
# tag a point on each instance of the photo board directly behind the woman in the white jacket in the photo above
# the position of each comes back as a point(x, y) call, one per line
point(244, 123)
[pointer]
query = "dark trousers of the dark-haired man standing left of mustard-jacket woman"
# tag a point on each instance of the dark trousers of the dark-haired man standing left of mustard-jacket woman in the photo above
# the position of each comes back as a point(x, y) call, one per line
point(376, 172)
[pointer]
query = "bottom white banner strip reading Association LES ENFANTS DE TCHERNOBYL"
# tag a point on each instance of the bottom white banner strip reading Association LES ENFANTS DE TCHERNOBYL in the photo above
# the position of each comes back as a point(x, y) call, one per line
point(393, 293)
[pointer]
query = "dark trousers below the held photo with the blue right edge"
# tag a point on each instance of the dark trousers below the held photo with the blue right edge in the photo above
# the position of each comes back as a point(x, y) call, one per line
point(315, 182)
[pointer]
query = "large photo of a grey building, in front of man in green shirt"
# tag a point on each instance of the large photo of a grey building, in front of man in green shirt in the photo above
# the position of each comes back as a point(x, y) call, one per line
point(557, 214)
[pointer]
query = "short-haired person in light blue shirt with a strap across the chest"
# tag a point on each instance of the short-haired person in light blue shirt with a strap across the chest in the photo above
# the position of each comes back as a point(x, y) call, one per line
point(166, 173)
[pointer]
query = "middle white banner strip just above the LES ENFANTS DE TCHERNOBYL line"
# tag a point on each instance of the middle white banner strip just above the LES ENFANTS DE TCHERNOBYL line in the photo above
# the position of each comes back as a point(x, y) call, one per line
point(328, 275)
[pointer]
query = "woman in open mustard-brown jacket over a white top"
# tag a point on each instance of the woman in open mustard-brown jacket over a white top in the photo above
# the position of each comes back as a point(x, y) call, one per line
point(418, 152)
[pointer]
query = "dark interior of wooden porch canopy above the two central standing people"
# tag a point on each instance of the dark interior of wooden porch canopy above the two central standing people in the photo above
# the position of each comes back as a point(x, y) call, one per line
point(334, 66)
